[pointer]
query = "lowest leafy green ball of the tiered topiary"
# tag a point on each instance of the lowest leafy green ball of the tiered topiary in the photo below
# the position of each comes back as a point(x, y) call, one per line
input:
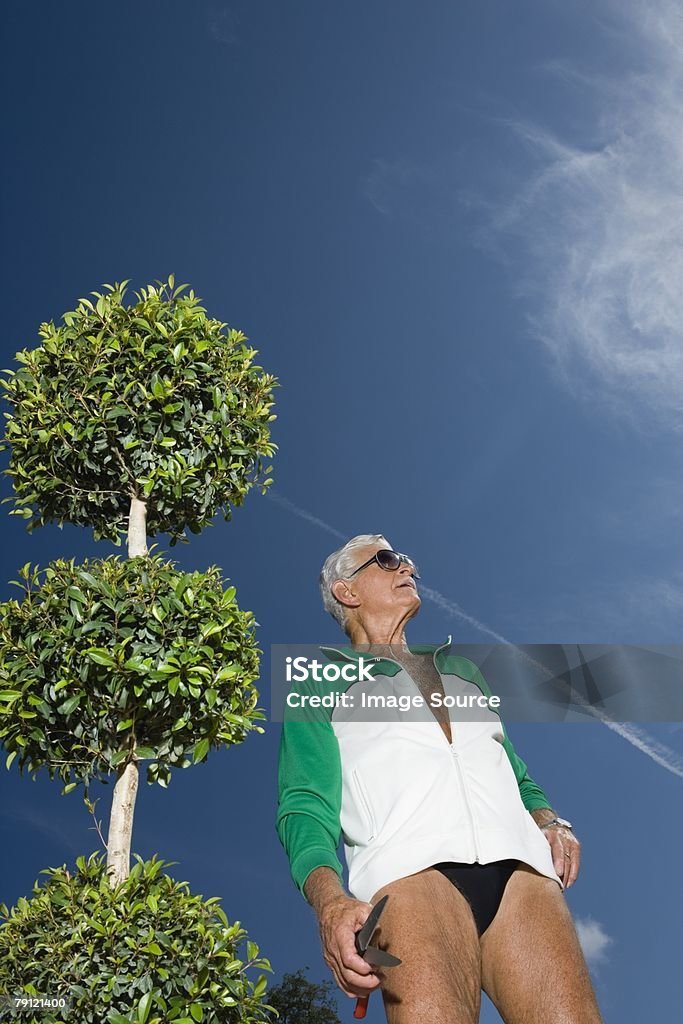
point(148, 952)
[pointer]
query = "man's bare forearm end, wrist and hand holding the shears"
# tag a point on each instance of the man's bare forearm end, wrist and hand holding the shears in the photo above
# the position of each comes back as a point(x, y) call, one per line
point(340, 918)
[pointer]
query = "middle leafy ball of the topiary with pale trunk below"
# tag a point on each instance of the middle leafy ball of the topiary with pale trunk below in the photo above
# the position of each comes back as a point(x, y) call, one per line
point(110, 664)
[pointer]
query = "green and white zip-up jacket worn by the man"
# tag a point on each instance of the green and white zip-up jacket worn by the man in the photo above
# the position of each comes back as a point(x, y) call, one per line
point(402, 797)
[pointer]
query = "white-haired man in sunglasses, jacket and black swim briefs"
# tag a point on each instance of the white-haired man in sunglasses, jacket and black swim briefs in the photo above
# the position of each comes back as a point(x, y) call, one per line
point(441, 814)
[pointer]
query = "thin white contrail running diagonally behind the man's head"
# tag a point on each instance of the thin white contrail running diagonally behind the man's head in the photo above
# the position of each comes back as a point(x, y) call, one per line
point(661, 754)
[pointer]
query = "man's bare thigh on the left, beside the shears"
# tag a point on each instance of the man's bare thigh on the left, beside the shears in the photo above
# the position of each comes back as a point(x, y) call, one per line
point(430, 925)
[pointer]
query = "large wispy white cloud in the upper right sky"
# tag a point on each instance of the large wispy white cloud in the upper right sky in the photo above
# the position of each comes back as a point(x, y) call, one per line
point(603, 224)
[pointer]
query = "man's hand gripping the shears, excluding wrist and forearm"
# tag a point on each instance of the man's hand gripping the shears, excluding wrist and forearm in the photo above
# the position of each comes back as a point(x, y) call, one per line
point(339, 922)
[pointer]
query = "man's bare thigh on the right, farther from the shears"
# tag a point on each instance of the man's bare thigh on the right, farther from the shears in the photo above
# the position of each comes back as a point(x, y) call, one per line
point(533, 968)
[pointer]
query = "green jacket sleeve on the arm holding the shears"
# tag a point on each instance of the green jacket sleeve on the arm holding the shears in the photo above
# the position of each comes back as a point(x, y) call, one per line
point(310, 796)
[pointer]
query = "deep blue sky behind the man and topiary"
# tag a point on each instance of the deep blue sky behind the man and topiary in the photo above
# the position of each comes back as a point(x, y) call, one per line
point(454, 233)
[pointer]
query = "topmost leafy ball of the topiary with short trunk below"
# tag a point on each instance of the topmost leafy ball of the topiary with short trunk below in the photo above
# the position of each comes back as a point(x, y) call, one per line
point(149, 418)
